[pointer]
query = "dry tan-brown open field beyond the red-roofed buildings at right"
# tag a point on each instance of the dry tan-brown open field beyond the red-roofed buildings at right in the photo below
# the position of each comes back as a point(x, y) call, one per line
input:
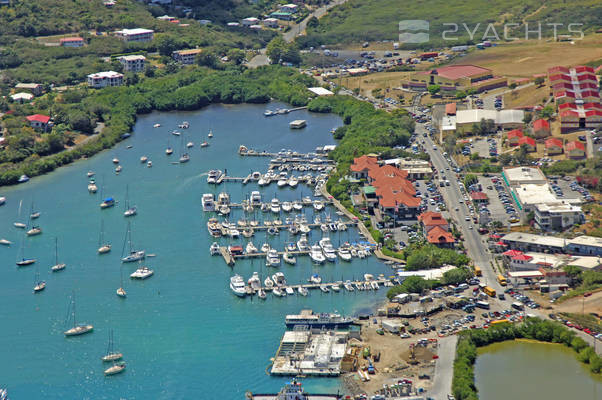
point(526, 58)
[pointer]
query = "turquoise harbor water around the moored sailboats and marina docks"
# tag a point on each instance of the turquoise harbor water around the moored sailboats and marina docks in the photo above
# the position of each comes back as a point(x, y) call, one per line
point(183, 333)
